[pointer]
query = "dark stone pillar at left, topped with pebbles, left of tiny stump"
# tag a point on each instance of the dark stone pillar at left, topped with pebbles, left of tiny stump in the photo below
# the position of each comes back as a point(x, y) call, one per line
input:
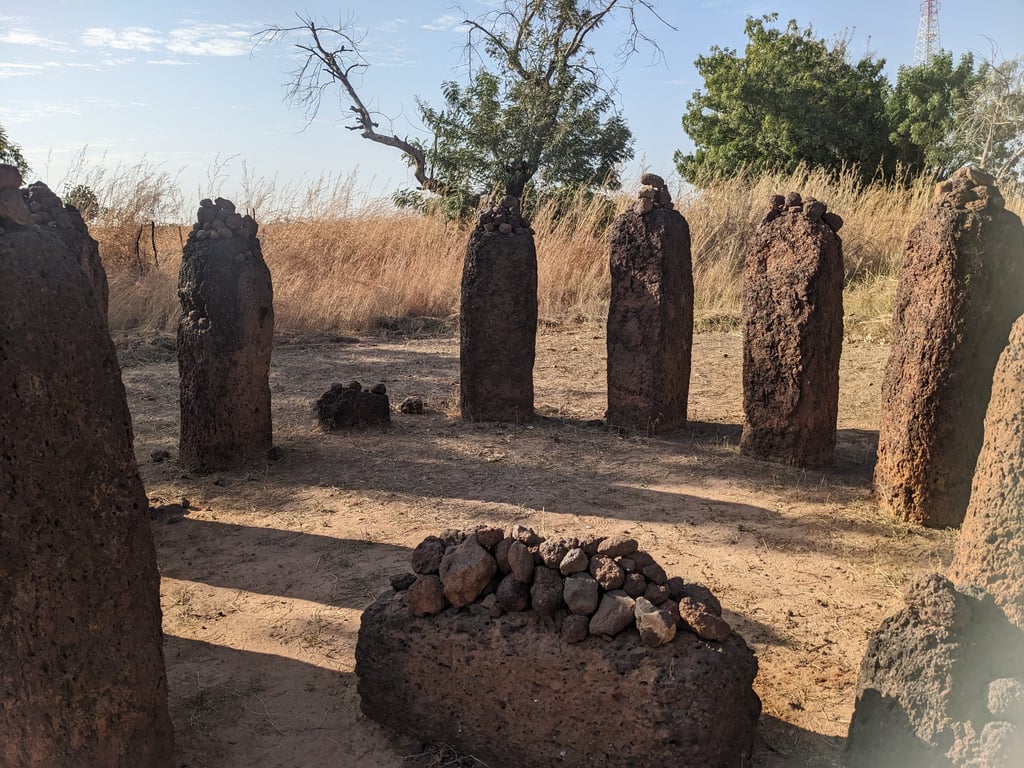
point(226, 338)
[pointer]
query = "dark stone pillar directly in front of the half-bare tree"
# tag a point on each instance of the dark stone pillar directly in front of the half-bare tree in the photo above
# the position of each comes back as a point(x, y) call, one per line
point(498, 318)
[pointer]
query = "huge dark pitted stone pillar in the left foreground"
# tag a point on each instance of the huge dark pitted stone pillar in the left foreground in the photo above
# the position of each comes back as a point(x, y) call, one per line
point(81, 662)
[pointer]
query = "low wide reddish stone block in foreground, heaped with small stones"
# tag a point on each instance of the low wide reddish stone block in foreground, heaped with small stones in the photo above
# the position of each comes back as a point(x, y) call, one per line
point(490, 645)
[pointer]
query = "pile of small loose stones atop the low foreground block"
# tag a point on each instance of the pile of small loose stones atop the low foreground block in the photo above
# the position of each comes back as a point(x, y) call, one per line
point(585, 586)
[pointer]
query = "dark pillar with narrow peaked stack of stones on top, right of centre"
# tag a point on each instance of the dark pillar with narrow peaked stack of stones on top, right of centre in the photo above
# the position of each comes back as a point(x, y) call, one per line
point(651, 314)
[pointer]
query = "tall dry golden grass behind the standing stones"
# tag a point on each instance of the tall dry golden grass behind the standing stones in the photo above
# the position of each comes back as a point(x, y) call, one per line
point(338, 268)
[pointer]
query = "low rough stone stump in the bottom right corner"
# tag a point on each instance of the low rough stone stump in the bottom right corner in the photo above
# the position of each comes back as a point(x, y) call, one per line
point(941, 686)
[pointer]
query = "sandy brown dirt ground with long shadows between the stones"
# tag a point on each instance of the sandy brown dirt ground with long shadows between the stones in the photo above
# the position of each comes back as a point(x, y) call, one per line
point(265, 577)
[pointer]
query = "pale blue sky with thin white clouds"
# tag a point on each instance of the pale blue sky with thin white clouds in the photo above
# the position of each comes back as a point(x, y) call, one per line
point(181, 88)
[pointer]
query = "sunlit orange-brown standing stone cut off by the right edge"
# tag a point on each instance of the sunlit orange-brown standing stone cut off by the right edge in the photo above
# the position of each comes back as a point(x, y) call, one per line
point(990, 549)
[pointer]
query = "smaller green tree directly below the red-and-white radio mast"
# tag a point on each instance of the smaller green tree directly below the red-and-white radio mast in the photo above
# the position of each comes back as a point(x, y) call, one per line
point(922, 111)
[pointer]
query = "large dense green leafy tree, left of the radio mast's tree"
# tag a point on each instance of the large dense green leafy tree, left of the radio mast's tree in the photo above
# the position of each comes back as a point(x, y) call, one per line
point(790, 100)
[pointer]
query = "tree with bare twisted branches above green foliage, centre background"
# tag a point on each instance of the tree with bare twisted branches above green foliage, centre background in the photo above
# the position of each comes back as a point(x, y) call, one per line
point(537, 109)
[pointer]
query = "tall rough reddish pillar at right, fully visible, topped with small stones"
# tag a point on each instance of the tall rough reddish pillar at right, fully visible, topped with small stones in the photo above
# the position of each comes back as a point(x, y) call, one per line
point(961, 289)
